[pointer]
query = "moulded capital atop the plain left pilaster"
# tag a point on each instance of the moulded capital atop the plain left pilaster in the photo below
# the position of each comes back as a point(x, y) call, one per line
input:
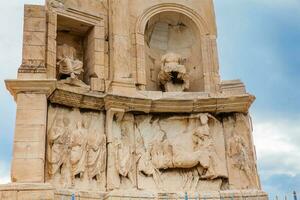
point(30, 86)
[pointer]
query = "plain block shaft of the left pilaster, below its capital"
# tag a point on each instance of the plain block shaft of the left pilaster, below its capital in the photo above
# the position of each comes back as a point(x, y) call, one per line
point(29, 147)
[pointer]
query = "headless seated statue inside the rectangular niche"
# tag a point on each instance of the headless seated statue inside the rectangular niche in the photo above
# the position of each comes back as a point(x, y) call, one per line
point(69, 66)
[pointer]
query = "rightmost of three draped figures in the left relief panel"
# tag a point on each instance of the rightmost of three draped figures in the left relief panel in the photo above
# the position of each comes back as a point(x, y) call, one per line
point(96, 155)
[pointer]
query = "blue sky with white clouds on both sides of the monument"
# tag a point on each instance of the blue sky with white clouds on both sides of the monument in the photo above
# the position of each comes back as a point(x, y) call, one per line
point(258, 42)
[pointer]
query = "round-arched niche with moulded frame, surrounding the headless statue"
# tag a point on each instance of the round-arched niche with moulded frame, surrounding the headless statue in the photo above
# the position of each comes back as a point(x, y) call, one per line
point(170, 28)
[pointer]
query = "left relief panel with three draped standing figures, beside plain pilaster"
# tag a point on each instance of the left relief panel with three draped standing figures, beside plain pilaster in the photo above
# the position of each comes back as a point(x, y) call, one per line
point(76, 148)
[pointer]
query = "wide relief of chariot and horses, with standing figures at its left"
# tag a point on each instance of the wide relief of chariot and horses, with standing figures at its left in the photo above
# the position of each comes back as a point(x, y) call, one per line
point(169, 153)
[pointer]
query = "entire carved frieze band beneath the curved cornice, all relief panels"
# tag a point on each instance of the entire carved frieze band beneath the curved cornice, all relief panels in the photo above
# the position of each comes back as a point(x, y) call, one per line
point(194, 152)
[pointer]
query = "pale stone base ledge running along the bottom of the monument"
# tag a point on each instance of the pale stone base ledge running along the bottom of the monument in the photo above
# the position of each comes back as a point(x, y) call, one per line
point(47, 192)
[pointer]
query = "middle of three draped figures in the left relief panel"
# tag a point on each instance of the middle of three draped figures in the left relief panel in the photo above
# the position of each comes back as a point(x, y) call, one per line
point(78, 150)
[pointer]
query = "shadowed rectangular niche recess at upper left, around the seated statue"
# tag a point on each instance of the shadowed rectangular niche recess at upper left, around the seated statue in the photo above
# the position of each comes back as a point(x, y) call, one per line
point(75, 38)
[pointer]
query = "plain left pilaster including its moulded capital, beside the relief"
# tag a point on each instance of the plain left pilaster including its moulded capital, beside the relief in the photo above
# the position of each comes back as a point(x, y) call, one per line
point(30, 129)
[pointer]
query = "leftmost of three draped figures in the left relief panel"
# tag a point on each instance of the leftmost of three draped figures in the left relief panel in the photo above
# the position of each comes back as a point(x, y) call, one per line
point(58, 141)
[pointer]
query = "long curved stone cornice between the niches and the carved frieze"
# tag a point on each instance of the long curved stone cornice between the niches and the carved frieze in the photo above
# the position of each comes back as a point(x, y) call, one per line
point(152, 102)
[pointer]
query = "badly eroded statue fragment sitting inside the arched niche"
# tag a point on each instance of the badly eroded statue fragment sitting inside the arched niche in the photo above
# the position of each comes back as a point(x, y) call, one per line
point(173, 75)
